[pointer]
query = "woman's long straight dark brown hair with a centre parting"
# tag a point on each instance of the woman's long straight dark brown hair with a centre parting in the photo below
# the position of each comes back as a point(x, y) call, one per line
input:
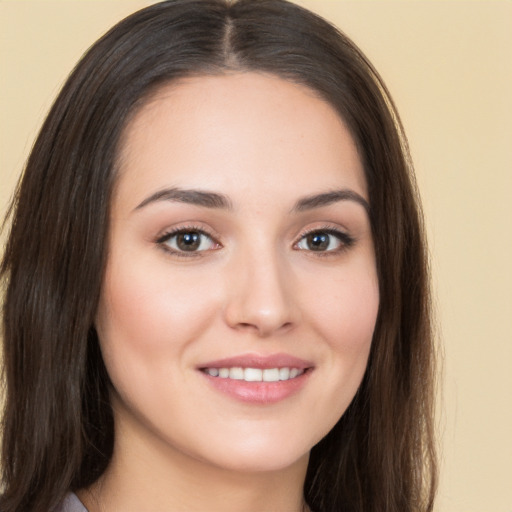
point(58, 422)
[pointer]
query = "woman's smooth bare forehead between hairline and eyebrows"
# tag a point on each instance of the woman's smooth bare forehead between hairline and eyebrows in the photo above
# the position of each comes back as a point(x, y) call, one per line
point(235, 131)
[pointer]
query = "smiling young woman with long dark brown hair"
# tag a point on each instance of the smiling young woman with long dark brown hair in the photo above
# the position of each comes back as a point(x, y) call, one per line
point(216, 281)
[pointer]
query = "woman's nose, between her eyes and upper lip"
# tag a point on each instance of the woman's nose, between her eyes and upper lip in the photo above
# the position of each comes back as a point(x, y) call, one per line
point(261, 296)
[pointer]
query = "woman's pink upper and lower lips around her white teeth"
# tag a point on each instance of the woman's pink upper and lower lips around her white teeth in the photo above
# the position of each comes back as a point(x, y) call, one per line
point(259, 392)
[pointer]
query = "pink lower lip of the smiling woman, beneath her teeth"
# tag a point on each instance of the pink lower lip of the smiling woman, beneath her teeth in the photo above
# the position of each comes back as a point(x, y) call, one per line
point(259, 392)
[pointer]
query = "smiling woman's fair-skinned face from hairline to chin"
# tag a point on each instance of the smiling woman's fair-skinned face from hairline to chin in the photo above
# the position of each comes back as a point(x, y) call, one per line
point(240, 294)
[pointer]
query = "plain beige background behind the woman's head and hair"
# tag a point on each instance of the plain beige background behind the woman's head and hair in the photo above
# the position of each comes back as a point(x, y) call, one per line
point(448, 65)
